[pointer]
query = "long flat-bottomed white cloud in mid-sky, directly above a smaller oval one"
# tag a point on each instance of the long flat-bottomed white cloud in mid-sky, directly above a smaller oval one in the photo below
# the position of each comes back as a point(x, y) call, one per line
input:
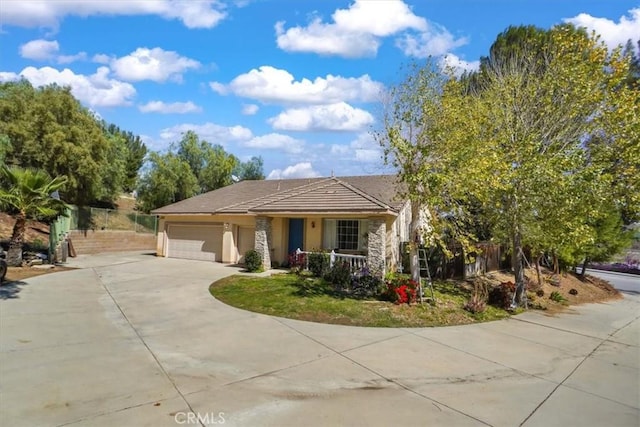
point(273, 85)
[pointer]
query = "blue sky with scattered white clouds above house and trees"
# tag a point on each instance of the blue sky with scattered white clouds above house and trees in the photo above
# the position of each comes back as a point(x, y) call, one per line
point(296, 82)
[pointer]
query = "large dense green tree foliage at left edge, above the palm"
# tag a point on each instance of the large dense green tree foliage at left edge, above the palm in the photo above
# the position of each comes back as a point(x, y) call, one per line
point(47, 128)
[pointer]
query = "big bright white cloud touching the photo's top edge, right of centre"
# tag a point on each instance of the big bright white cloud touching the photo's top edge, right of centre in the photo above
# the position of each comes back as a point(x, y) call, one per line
point(354, 32)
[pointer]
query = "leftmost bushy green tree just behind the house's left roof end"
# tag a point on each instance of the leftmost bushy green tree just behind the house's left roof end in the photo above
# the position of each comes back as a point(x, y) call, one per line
point(168, 179)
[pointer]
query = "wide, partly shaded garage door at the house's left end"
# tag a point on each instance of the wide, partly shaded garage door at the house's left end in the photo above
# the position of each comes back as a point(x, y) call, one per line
point(201, 242)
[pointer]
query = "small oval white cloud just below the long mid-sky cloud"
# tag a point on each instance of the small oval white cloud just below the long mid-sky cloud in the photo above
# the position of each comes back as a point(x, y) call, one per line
point(333, 117)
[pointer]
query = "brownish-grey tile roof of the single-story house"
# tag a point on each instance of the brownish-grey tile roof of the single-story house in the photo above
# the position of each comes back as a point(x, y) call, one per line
point(370, 193)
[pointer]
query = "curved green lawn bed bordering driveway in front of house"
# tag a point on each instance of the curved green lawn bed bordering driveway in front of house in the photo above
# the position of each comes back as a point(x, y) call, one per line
point(312, 299)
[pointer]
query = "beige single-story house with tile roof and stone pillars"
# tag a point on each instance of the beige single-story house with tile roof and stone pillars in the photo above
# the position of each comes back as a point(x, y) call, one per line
point(360, 215)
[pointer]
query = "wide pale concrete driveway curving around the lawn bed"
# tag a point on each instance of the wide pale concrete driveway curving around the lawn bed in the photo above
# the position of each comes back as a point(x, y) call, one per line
point(135, 340)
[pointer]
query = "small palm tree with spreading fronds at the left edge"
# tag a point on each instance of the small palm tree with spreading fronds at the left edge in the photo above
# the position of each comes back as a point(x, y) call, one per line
point(26, 193)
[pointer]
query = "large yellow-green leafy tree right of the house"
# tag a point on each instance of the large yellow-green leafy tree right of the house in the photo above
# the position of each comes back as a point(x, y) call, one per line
point(513, 140)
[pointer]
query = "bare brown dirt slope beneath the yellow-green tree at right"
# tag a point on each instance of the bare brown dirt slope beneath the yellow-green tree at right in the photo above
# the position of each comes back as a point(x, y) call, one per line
point(568, 289)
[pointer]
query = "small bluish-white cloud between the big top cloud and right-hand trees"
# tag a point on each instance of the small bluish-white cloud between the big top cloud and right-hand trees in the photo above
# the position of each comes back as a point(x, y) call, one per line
point(435, 41)
